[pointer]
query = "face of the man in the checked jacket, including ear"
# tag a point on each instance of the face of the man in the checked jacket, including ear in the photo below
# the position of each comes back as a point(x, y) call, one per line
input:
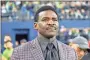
point(47, 24)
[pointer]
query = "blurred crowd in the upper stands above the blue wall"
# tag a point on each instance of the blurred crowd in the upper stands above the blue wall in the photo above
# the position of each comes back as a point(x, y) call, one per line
point(25, 10)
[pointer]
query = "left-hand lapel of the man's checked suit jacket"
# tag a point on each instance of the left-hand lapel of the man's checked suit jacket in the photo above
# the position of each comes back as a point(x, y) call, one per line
point(36, 50)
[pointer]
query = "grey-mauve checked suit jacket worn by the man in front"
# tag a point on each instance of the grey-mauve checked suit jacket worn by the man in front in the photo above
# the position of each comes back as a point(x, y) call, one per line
point(32, 51)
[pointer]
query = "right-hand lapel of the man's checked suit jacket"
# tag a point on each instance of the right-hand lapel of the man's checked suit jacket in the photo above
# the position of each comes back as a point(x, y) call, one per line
point(62, 51)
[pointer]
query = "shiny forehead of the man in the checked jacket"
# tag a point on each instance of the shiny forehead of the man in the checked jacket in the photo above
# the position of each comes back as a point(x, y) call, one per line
point(48, 13)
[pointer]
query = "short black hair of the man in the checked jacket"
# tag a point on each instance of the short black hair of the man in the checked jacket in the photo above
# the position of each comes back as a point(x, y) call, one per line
point(43, 8)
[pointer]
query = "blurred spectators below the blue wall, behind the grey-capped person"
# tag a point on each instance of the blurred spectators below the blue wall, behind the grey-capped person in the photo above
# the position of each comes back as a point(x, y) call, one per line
point(69, 33)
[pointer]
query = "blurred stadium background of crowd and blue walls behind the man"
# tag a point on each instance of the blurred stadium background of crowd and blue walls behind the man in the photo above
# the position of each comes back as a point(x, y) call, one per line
point(17, 19)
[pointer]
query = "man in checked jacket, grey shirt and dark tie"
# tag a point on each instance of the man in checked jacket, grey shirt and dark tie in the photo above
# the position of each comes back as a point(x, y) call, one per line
point(45, 46)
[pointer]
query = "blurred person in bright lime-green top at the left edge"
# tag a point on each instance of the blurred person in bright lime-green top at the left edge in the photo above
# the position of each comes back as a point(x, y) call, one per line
point(9, 47)
